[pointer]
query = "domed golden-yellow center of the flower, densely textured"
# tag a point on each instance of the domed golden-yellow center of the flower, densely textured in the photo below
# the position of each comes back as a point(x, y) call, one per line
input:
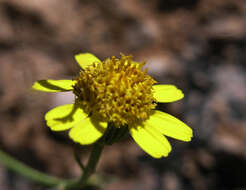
point(117, 90)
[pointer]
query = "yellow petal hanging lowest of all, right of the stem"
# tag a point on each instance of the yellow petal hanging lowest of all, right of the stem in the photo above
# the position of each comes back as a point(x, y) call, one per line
point(150, 140)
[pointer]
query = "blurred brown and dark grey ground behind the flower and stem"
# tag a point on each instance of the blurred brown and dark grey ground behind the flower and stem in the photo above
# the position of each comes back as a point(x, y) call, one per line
point(198, 45)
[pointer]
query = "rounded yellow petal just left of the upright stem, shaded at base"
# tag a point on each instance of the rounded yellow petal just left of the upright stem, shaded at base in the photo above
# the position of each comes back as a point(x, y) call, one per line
point(88, 131)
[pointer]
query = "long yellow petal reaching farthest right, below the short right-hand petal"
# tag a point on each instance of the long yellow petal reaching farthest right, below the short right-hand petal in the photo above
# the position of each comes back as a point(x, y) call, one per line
point(169, 126)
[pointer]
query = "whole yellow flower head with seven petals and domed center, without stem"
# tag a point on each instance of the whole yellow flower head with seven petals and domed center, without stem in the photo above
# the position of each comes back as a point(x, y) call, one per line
point(116, 92)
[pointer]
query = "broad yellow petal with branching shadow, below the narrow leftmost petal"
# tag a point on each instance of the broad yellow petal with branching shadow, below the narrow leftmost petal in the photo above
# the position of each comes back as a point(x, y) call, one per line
point(64, 117)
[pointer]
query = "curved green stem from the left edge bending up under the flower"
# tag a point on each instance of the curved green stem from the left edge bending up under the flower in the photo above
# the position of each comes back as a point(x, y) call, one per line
point(47, 180)
